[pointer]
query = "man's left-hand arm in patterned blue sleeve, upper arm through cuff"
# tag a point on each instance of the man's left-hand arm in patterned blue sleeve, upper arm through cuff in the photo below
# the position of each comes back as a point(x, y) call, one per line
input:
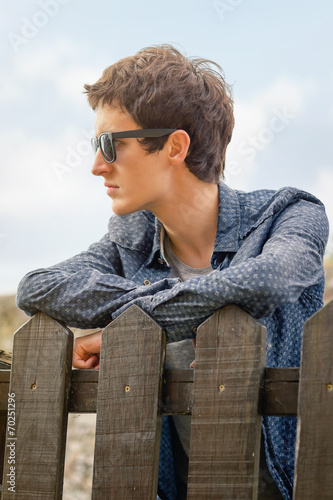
point(83, 291)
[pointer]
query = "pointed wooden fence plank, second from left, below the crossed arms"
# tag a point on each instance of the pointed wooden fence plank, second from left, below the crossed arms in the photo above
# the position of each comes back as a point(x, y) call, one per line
point(128, 421)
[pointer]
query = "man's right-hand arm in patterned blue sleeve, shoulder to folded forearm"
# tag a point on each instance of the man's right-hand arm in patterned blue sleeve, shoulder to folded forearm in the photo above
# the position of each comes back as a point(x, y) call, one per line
point(290, 262)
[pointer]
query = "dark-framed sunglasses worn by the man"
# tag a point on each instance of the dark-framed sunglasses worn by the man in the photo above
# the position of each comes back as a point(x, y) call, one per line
point(106, 140)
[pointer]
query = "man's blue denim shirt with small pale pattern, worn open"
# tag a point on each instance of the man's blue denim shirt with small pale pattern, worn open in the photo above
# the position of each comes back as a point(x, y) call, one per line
point(267, 258)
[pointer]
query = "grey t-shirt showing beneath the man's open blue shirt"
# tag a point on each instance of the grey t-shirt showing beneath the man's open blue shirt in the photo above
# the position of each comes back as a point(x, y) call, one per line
point(179, 355)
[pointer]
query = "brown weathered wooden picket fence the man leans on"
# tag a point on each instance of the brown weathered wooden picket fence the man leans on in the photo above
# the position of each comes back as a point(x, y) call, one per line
point(227, 393)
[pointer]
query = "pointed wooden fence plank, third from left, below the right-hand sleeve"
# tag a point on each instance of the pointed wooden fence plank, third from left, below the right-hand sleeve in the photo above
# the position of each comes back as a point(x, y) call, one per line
point(226, 426)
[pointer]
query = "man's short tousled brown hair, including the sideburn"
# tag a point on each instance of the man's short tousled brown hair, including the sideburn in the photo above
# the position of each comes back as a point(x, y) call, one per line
point(160, 88)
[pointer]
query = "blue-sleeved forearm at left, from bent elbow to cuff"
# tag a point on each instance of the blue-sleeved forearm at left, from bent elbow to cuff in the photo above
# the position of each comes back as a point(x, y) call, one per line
point(85, 299)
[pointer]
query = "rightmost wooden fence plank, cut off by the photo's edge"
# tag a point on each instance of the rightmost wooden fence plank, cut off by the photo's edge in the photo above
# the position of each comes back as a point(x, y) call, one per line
point(314, 447)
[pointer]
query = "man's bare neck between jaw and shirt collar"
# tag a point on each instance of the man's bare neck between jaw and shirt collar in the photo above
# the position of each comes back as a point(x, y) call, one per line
point(191, 222)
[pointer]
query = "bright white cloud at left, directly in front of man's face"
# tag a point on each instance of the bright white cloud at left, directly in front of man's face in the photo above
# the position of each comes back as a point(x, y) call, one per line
point(31, 181)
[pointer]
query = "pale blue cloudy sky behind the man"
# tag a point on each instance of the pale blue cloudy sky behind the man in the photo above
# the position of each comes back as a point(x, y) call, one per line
point(277, 56)
